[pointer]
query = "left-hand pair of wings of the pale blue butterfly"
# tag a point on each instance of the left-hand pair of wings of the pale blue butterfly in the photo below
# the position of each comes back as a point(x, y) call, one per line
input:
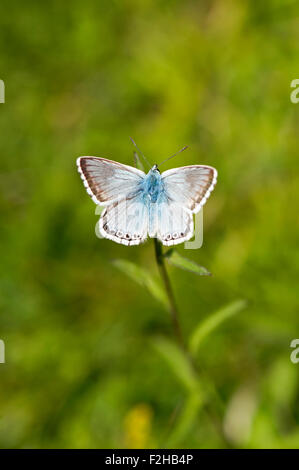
point(118, 188)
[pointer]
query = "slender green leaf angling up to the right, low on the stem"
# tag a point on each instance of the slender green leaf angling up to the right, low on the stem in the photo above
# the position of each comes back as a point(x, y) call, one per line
point(213, 321)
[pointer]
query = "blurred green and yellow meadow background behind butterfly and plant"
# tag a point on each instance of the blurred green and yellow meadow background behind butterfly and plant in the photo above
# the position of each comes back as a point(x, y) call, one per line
point(82, 364)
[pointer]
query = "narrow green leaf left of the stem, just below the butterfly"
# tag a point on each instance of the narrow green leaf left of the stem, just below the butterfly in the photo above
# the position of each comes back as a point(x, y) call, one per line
point(143, 278)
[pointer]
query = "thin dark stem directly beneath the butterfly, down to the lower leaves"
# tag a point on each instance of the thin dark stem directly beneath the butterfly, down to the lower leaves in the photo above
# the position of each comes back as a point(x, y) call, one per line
point(168, 289)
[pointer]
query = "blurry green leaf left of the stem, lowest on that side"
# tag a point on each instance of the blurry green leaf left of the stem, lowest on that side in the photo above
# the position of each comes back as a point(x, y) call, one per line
point(178, 363)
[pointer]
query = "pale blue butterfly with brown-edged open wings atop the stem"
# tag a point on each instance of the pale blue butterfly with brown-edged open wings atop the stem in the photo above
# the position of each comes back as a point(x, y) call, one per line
point(138, 205)
